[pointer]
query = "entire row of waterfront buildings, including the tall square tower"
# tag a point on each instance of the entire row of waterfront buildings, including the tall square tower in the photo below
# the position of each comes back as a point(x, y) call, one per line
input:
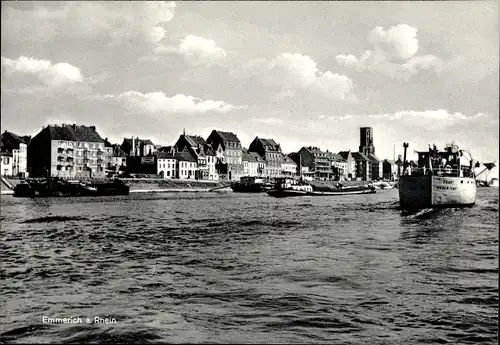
point(72, 151)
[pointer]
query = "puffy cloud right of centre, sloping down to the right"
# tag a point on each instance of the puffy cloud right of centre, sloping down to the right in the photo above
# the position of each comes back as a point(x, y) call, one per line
point(297, 71)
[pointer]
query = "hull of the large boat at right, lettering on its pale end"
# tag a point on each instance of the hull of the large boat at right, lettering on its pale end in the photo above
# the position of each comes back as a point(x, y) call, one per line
point(418, 192)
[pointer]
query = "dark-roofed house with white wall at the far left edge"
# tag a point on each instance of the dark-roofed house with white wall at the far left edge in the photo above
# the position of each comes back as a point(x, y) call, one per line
point(17, 146)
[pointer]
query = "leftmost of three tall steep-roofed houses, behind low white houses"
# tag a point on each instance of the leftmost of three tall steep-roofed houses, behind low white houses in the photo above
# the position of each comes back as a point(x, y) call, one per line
point(203, 153)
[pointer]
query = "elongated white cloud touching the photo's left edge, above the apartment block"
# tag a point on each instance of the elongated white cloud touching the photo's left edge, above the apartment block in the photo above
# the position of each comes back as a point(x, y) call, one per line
point(50, 74)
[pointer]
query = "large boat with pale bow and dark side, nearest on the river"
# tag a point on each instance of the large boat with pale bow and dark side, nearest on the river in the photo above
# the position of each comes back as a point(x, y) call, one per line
point(438, 180)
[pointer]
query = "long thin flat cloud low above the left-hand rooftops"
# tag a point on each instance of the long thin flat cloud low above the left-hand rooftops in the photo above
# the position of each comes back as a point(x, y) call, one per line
point(158, 102)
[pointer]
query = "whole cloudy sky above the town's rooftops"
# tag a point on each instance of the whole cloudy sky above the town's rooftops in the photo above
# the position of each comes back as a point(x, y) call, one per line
point(301, 73)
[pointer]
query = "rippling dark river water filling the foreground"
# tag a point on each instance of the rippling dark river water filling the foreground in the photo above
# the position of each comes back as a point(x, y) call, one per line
point(239, 268)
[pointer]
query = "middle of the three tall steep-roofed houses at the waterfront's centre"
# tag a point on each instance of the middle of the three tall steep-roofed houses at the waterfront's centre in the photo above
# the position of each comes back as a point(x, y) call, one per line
point(228, 152)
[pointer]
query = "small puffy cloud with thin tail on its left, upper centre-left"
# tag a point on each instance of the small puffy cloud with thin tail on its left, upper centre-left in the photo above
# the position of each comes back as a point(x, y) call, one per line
point(195, 50)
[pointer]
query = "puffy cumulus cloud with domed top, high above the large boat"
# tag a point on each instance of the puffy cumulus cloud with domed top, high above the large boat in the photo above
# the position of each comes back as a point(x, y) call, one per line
point(393, 54)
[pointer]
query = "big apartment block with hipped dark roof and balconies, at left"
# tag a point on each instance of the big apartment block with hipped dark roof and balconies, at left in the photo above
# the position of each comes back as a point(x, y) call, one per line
point(66, 151)
